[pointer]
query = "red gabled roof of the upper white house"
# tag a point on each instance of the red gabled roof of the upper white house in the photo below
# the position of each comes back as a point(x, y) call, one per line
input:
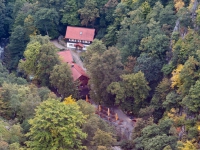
point(79, 33)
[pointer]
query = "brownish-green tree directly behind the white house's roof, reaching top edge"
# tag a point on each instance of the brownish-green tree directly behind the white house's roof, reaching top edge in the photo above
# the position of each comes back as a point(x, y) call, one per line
point(89, 13)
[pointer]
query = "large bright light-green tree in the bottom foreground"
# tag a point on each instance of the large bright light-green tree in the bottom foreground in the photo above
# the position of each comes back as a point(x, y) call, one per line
point(56, 126)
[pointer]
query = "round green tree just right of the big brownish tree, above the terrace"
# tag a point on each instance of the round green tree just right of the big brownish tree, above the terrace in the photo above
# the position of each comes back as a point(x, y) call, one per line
point(131, 91)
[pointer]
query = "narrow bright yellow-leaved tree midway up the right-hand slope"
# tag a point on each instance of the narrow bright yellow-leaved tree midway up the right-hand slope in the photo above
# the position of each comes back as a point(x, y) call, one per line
point(175, 79)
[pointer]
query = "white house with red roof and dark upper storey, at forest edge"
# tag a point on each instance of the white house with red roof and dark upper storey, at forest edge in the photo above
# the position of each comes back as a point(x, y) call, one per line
point(78, 37)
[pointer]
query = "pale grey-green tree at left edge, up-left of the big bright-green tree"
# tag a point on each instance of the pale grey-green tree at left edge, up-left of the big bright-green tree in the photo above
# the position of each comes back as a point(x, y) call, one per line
point(21, 99)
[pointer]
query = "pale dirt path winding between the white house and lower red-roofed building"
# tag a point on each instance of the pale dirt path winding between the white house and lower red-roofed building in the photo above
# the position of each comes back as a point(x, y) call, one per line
point(75, 55)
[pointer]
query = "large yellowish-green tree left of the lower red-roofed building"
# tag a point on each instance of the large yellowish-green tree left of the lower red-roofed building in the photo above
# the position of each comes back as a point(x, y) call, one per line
point(40, 58)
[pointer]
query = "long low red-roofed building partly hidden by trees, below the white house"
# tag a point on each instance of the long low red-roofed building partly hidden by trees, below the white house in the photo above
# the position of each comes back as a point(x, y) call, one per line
point(77, 72)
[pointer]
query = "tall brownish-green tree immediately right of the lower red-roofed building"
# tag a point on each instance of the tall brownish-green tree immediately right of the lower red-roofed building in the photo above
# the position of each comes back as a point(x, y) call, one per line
point(103, 70)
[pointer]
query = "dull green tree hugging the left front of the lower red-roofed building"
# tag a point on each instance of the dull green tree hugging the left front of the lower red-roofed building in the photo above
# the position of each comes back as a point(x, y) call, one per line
point(61, 79)
